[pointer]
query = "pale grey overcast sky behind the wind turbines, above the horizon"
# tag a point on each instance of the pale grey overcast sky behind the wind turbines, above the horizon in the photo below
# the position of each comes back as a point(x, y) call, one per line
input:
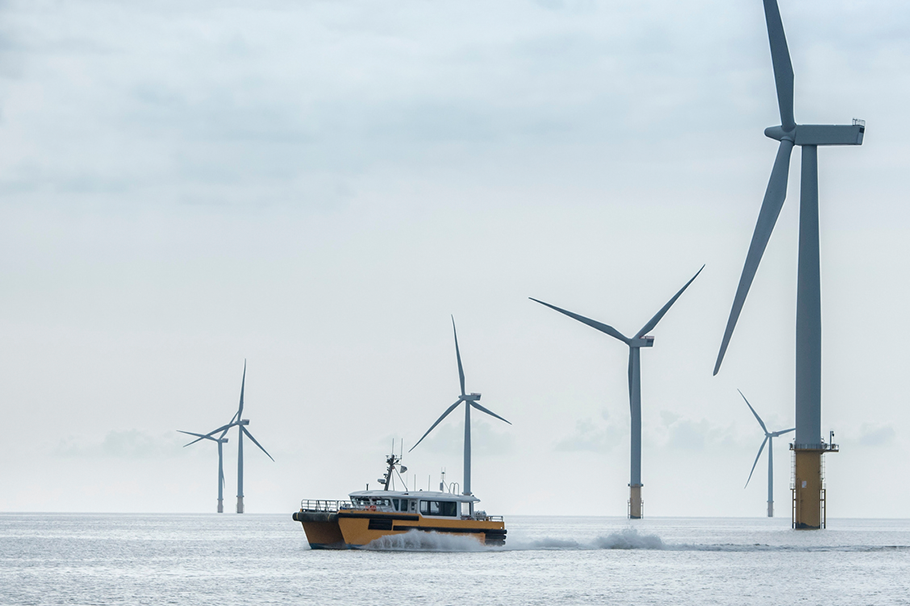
point(317, 186)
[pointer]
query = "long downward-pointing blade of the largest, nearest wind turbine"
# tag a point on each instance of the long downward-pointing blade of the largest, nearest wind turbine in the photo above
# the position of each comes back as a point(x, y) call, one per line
point(775, 195)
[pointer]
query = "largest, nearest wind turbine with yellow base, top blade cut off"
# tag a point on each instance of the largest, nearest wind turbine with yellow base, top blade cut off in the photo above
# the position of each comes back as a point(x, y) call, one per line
point(808, 445)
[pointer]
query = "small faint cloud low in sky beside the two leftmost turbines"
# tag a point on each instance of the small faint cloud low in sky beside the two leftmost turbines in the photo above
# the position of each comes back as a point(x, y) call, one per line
point(122, 444)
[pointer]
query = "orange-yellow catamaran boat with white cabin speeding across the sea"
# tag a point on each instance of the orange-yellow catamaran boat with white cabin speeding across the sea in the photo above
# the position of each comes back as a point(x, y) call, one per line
point(372, 514)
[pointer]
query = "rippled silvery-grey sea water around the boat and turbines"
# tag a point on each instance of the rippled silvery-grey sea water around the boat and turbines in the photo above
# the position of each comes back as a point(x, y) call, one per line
point(264, 559)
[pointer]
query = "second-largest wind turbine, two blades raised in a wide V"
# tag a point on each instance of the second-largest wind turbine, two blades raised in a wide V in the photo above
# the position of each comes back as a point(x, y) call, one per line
point(635, 344)
